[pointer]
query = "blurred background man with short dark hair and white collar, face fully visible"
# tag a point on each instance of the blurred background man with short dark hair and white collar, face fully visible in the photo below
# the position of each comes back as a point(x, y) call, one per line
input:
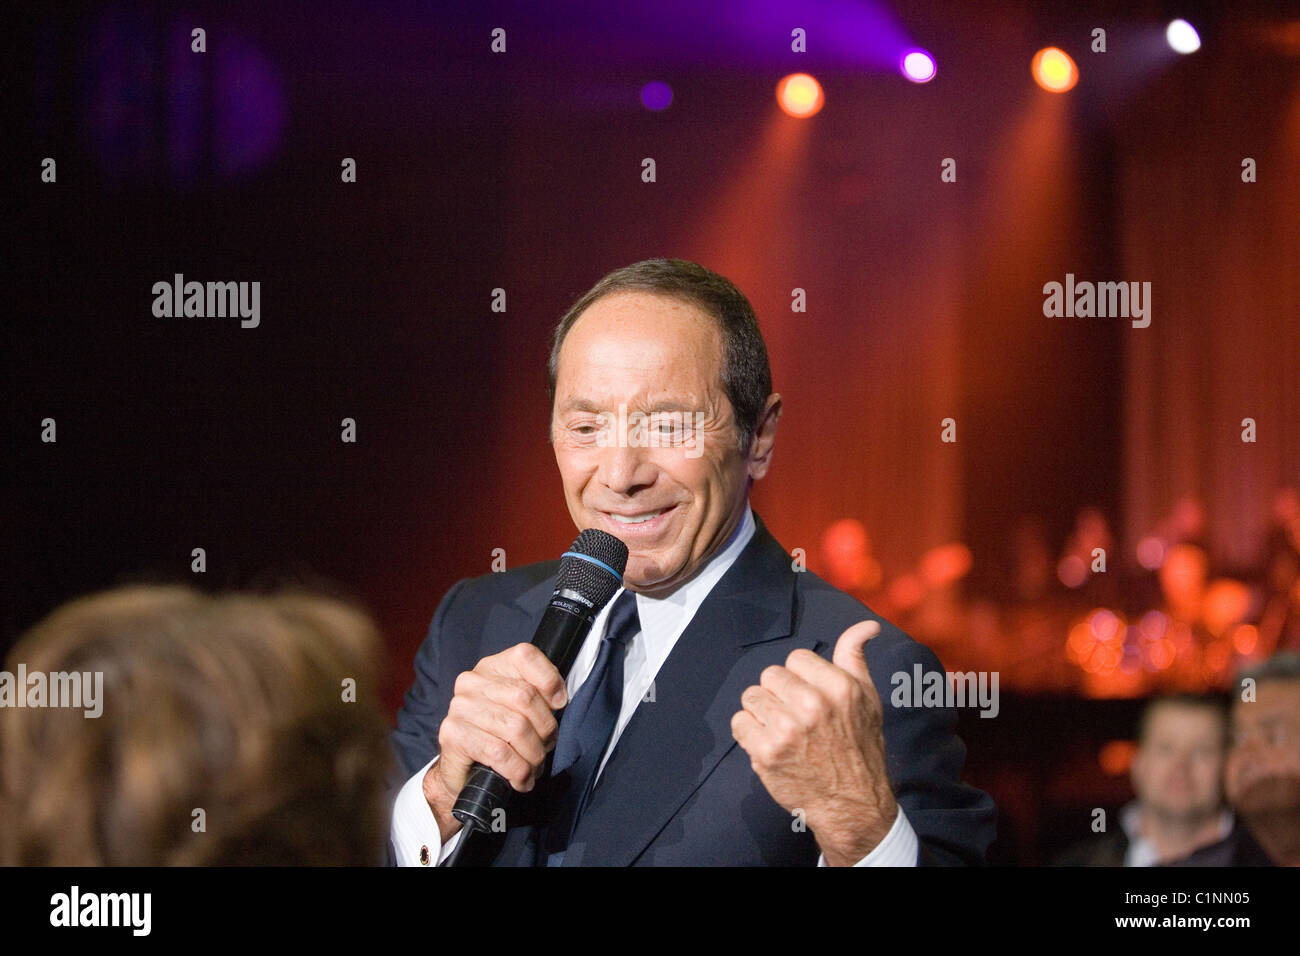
point(1177, 775)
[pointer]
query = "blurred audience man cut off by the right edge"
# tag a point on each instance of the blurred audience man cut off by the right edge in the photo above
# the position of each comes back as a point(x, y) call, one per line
point(1263, 776)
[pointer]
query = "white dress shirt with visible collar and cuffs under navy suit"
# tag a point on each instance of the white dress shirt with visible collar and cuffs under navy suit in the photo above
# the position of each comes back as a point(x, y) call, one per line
point(662, 624)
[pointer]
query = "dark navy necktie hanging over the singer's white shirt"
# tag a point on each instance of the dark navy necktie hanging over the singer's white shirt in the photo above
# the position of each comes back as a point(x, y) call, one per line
point(587, 726)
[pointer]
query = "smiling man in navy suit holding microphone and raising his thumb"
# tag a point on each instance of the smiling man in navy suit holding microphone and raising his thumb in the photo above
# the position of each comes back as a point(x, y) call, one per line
point(743, 708)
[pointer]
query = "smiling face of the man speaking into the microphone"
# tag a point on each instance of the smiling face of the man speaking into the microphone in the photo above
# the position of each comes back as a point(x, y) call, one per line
point(644, 435)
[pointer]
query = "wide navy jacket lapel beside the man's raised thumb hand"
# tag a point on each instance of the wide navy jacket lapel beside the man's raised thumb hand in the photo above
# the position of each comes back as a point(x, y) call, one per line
point(671, 745)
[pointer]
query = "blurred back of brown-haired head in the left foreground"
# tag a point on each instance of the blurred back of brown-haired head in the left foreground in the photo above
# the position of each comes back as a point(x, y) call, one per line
point(228, 736)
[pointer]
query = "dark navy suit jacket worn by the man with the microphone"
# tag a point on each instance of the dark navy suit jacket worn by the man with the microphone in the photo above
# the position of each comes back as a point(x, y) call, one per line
point(678, 790)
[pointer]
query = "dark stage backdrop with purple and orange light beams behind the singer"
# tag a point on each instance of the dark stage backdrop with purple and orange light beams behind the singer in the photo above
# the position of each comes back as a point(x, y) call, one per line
point(522, 171)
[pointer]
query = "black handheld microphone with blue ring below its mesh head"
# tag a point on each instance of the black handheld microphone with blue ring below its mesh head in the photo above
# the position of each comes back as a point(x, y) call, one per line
point(591, 574)
